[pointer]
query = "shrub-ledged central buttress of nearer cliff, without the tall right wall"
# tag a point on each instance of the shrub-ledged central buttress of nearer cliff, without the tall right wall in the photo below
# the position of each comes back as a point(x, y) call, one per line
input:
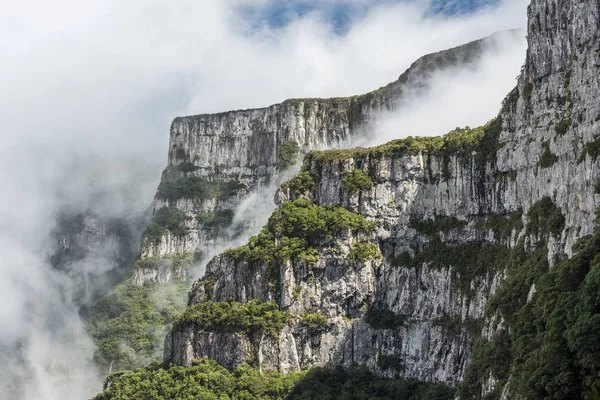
point(376, 256)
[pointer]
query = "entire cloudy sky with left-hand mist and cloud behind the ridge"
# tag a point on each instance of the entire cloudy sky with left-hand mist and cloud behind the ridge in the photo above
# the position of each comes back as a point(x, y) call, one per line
point(89, 88)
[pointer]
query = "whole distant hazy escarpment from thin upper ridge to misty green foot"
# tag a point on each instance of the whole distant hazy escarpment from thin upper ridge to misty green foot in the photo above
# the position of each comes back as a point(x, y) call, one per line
point(218, 189)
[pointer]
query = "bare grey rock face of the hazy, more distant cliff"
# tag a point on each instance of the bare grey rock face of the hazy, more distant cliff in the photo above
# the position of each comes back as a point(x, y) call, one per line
point(217, 161)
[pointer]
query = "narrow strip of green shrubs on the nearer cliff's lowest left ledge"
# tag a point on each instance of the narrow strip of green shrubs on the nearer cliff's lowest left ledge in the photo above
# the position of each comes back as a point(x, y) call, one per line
point(248, 318)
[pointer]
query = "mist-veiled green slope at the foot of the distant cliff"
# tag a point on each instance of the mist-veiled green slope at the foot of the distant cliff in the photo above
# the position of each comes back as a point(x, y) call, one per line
point(129, 324)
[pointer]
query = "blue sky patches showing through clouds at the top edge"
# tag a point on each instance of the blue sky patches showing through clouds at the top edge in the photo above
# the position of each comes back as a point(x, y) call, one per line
point(341, 13)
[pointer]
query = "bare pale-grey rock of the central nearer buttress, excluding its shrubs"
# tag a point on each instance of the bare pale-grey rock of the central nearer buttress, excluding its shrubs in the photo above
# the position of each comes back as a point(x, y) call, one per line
point(376, 308)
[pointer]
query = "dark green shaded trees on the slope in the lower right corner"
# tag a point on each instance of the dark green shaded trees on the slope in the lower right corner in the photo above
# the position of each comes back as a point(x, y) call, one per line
point(550, 346)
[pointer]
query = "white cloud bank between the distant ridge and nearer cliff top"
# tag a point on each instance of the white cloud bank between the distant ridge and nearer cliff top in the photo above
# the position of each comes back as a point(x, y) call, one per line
point(458, 97)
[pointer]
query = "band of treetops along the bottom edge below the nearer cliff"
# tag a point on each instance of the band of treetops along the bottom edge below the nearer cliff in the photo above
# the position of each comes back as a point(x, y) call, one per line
point(207, 380)
